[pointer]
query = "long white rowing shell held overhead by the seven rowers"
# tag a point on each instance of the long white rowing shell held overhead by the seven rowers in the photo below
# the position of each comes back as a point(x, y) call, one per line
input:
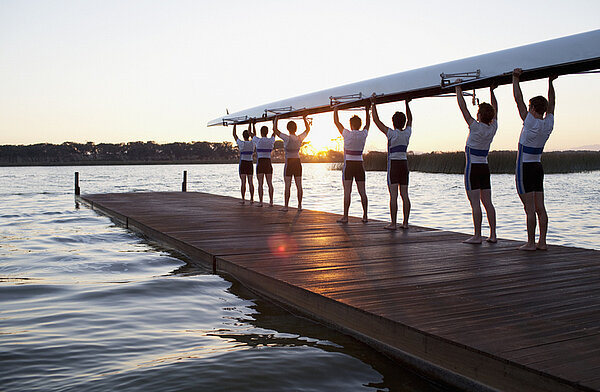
point(566, 55)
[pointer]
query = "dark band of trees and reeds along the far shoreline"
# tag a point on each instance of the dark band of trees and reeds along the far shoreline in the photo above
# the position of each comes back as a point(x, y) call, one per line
point(70, 153)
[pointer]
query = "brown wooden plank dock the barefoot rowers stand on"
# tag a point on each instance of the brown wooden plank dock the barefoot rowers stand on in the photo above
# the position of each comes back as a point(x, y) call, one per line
point(479, 317)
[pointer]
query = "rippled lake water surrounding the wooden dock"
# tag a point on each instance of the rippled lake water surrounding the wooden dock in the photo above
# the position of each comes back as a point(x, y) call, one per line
point(86, 305)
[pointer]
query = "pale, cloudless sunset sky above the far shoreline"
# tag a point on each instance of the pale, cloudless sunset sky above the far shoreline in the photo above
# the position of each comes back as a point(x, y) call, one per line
point(142, 70)
